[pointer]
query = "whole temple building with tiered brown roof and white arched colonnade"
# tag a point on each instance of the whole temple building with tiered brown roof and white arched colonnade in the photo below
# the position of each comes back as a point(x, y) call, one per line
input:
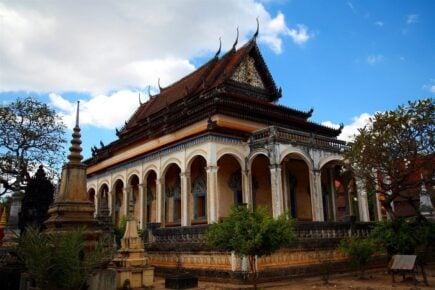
point(219, 137)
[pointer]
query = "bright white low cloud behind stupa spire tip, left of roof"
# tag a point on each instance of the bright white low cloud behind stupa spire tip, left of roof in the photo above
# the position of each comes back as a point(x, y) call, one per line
point(103, 111)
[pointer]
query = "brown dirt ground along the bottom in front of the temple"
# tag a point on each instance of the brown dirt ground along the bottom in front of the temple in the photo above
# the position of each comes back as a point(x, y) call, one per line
point(375, 279)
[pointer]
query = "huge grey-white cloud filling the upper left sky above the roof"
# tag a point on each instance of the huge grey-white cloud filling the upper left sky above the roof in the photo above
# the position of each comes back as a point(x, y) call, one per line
point(103, 46)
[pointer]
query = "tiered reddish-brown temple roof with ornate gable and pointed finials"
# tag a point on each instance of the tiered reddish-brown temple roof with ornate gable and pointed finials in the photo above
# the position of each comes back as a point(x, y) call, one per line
point(214, 88)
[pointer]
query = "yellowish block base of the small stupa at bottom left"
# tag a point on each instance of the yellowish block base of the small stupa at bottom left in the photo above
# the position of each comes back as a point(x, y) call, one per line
point(134, 277)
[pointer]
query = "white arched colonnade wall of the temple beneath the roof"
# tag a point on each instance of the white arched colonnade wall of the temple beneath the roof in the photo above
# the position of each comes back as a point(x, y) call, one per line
point(255, 165)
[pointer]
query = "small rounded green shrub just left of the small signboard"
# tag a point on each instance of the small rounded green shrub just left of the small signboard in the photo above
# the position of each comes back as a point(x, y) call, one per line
point(358, 250)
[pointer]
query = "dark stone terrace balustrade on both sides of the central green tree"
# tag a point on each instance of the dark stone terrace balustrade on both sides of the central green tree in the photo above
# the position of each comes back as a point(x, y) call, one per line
point(305, 231)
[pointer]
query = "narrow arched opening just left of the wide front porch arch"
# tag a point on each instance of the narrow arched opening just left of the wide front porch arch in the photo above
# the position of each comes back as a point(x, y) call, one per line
point(260, 183)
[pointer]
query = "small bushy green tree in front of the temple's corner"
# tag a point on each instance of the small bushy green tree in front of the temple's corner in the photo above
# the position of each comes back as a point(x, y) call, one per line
point(251, 234)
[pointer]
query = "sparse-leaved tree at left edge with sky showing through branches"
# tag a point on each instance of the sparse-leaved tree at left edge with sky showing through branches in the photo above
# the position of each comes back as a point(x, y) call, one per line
point(31, 134)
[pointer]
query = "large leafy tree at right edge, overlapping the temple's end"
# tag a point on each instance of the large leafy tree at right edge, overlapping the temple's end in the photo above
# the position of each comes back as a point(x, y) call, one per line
point(394, 153)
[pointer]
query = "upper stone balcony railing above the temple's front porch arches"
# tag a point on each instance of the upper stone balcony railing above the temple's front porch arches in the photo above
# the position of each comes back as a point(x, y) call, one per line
point(297, 137)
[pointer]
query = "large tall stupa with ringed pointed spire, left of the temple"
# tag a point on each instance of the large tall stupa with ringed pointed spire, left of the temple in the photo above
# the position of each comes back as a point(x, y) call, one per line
point(72, 209)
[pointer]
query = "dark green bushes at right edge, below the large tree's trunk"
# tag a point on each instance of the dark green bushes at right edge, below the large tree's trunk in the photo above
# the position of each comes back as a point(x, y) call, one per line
point(403, 237)
